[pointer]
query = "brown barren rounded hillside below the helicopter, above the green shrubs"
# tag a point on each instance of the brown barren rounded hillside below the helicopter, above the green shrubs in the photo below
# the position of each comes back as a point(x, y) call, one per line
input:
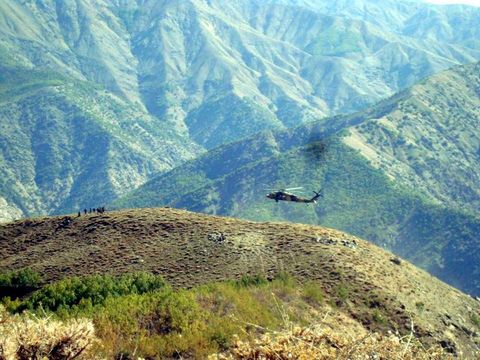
point(365, 282)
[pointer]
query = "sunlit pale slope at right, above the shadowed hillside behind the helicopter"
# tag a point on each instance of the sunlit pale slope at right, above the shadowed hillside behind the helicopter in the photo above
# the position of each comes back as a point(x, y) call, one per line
point(430, 140)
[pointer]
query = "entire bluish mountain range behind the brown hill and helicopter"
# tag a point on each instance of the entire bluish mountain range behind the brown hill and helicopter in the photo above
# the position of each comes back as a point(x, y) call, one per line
point(203, 104)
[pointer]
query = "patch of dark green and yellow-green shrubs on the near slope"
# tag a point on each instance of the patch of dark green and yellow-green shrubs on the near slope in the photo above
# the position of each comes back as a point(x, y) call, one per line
point(140, 314)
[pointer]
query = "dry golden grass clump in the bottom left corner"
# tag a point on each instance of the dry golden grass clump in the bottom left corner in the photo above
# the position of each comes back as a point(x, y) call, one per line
point(25, 337)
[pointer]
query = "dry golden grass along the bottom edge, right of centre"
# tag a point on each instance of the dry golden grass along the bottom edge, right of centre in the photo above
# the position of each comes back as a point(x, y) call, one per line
point(321, 342)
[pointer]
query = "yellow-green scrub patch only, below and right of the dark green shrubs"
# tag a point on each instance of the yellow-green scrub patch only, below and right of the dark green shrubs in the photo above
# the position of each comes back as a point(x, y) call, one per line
point(189, 323)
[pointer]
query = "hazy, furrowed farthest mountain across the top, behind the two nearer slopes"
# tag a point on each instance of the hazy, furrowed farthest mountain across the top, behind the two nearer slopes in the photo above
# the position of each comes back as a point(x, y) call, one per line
point(272, 64)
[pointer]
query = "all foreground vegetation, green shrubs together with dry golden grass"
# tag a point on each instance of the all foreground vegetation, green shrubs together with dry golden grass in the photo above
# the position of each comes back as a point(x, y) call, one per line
point(246, 319)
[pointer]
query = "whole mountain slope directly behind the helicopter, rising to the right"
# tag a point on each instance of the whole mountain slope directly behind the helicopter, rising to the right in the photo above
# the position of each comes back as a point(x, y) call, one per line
point(427, 217)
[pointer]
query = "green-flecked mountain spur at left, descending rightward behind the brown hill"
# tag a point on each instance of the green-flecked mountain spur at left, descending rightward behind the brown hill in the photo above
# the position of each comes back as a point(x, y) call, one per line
point(67, 144)
